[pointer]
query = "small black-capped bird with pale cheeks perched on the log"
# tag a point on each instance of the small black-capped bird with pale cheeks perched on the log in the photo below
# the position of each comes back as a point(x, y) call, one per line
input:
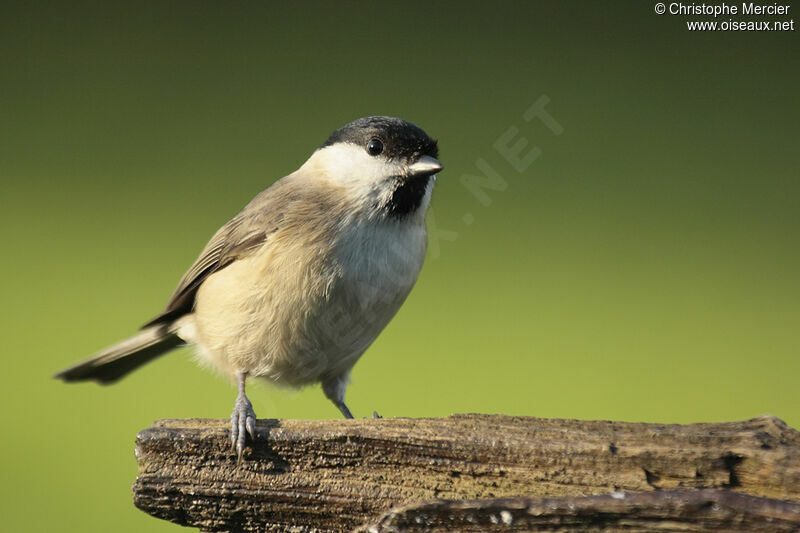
point(298, 285)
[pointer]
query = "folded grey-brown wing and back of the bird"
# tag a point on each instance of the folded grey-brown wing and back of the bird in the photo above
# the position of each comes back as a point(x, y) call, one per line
point(238, 238)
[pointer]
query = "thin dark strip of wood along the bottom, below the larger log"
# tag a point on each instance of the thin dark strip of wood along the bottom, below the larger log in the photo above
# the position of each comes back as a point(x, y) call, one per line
point(679, 511)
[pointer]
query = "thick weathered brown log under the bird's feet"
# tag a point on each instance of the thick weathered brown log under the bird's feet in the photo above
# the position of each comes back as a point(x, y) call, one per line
point(335, 475)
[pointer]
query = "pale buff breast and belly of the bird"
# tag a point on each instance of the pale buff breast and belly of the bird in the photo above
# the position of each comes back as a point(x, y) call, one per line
point(294, 315)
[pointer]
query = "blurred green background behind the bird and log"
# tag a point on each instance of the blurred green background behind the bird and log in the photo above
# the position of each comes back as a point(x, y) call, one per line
point(643, 268)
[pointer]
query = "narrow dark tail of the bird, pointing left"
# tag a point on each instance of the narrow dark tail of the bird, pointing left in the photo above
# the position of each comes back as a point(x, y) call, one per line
point(118, 360)
